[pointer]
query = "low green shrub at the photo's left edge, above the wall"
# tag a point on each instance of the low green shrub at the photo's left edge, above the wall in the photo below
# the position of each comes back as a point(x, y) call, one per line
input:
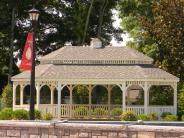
point(6, 114)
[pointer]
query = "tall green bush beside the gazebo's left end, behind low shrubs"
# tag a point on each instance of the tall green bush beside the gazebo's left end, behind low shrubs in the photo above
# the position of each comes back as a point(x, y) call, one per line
point(7, 96)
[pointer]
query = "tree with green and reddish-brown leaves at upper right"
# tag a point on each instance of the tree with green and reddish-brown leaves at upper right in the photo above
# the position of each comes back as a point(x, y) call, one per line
point(157, 28)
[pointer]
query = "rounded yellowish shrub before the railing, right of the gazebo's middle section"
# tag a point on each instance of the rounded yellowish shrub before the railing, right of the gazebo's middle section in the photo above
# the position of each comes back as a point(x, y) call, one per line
point(128, 116)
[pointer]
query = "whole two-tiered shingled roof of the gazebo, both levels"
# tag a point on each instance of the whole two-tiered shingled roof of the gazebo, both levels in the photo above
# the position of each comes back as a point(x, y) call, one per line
point(112, 63)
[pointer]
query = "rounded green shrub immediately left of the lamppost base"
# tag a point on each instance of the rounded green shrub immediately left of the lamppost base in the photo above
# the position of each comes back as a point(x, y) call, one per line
point(20, 114)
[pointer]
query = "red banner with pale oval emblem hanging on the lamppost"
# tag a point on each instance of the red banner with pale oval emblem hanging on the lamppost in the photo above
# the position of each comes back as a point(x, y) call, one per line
point(26, 62)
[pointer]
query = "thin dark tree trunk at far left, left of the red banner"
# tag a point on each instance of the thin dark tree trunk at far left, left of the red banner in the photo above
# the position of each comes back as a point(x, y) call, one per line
point(11, 45)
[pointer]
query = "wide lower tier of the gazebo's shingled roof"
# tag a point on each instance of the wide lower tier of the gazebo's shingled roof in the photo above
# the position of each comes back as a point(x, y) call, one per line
point(51, 72)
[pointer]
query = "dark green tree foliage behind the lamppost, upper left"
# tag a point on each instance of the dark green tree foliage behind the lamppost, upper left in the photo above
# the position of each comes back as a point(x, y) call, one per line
point(60, 21)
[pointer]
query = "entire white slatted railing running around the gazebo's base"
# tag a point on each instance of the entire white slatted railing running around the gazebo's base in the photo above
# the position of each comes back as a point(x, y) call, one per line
point(94, 110)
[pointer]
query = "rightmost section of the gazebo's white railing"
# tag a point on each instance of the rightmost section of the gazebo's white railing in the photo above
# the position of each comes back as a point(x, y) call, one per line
point(160, 109)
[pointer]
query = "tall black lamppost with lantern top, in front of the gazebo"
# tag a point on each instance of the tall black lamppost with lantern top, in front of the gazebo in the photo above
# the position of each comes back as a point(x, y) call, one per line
point(33, 14)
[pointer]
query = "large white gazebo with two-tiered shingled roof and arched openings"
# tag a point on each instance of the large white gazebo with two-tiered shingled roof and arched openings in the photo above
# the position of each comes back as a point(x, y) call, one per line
point(61, 71)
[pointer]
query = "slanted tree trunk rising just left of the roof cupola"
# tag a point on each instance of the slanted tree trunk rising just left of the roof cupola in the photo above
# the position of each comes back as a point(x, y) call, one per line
point(87, 21)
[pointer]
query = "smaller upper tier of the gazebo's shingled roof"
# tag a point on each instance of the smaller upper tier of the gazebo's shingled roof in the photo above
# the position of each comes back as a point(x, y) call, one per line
point(90, 54)
